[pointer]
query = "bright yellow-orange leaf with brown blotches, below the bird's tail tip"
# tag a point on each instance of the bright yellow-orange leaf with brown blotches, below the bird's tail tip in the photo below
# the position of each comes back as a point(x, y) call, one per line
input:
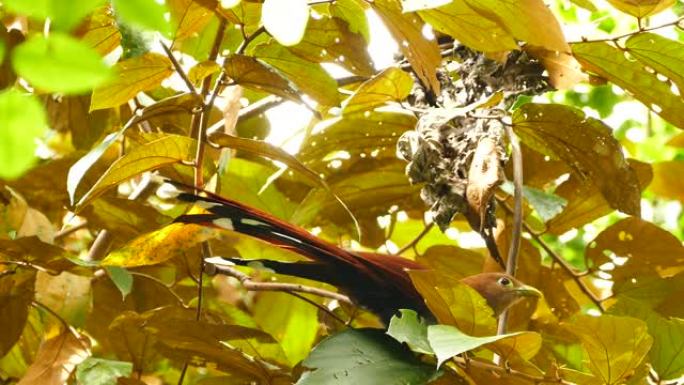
point(149, 249)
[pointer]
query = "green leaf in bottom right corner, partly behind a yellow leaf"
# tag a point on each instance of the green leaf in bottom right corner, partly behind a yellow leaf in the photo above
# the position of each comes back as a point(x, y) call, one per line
point(667, 354)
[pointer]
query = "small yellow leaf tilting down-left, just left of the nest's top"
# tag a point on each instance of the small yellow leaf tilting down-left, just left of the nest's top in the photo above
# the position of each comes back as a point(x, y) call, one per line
point(392, 84)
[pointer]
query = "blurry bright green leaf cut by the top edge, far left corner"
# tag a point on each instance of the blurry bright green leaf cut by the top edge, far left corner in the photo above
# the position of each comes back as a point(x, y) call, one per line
point(64, 15)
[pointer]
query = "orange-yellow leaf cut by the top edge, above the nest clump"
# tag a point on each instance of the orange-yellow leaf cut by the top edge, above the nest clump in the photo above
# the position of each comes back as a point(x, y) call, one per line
point(527, 20)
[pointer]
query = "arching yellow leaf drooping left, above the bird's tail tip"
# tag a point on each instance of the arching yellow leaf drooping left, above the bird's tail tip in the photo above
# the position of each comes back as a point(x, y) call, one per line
point(167, 150)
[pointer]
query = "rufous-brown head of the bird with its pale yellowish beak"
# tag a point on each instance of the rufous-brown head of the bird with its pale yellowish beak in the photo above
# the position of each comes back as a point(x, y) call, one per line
point(500, 290)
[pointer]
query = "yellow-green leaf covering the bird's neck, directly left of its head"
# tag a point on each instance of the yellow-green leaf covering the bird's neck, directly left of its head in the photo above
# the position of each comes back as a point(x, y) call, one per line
point(454, 303)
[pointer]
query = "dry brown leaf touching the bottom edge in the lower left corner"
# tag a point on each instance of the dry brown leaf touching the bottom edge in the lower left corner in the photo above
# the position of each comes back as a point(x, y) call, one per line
point(56, 359)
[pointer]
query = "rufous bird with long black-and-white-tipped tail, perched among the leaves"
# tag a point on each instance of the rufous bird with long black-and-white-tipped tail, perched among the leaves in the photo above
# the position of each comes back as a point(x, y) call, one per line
point(377, 282)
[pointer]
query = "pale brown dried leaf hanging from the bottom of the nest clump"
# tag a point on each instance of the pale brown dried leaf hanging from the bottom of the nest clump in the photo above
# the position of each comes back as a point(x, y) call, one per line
point(484, 176)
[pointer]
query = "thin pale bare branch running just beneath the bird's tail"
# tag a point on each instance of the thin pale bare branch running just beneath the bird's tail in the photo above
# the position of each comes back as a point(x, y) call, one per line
point(249, 284)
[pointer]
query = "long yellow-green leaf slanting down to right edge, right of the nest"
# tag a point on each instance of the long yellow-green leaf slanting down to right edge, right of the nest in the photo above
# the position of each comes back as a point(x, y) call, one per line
point(610, 62)
